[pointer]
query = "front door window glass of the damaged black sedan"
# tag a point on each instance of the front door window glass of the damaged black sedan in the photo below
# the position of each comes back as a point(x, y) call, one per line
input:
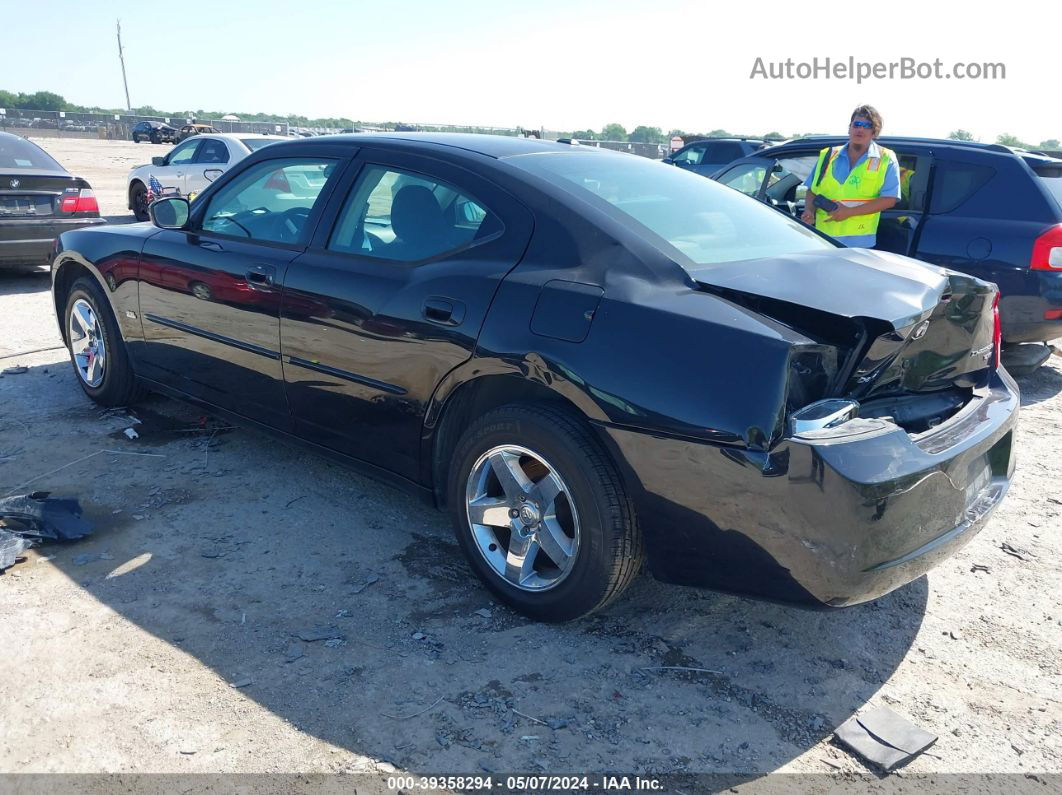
point(270, 202)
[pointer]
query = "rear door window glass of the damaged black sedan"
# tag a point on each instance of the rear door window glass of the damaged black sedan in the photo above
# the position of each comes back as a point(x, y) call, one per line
point(406, 217)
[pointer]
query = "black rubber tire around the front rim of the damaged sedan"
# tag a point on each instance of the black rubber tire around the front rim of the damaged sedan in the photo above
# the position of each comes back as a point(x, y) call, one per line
point(119, 386)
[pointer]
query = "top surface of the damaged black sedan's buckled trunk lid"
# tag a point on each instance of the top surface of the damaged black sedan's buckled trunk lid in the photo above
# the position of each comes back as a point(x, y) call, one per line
point(850, 283)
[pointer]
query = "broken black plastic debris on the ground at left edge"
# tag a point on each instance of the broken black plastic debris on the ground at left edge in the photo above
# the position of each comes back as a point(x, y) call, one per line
point(28, 521)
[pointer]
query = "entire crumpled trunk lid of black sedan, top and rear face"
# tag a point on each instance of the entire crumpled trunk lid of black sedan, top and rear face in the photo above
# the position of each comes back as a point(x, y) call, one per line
point(893, 326)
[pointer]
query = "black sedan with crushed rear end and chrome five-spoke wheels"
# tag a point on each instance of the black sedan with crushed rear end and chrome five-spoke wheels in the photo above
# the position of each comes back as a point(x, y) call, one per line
point(592, 360)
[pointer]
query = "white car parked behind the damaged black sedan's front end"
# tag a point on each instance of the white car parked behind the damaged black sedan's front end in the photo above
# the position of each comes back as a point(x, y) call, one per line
point(190, 168)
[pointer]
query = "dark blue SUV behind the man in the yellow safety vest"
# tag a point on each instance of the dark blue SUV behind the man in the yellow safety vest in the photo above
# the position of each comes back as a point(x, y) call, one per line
point(985, 210)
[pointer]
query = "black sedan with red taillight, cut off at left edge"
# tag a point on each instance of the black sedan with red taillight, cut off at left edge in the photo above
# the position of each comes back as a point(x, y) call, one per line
point(39, 200)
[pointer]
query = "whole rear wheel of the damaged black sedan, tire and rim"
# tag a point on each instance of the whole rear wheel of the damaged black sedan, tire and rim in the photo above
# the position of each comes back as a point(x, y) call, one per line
point(541, 513)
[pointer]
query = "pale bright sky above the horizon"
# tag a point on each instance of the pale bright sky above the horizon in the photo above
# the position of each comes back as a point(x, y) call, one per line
point(558, 65)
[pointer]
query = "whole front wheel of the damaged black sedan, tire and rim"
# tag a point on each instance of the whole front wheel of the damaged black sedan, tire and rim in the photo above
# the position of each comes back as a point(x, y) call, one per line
point(97, 350)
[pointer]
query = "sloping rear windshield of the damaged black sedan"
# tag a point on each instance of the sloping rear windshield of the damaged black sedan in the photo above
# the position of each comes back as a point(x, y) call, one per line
point(684, 214)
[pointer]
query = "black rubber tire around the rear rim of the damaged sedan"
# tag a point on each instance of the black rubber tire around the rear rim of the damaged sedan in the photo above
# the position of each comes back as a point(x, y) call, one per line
point(609, 555)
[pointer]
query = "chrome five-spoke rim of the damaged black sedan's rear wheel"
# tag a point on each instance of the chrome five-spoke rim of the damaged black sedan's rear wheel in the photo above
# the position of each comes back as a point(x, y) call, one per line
point(523, 519)
